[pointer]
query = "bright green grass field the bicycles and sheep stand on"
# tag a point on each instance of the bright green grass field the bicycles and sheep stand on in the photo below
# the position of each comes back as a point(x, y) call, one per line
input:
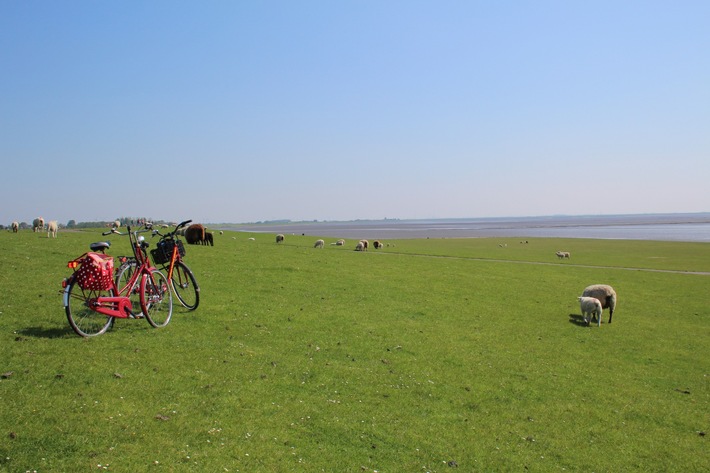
point(429, 355)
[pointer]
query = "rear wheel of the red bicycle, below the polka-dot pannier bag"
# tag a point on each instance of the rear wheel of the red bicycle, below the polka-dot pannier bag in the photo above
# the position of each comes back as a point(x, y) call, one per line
point(85, 321)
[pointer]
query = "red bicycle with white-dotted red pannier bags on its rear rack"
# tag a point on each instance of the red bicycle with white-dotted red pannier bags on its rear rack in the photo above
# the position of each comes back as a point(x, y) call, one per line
point(93, 299)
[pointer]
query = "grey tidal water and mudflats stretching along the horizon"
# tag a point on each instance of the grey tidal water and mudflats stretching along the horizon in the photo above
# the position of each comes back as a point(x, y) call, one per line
point(660, 227)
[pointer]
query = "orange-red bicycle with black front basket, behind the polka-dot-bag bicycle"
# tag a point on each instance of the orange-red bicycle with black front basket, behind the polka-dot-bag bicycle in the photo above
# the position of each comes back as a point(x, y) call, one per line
point(168, 254)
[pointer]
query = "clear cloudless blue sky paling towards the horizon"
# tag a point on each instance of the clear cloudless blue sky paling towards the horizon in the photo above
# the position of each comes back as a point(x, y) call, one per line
point(242, 111)
